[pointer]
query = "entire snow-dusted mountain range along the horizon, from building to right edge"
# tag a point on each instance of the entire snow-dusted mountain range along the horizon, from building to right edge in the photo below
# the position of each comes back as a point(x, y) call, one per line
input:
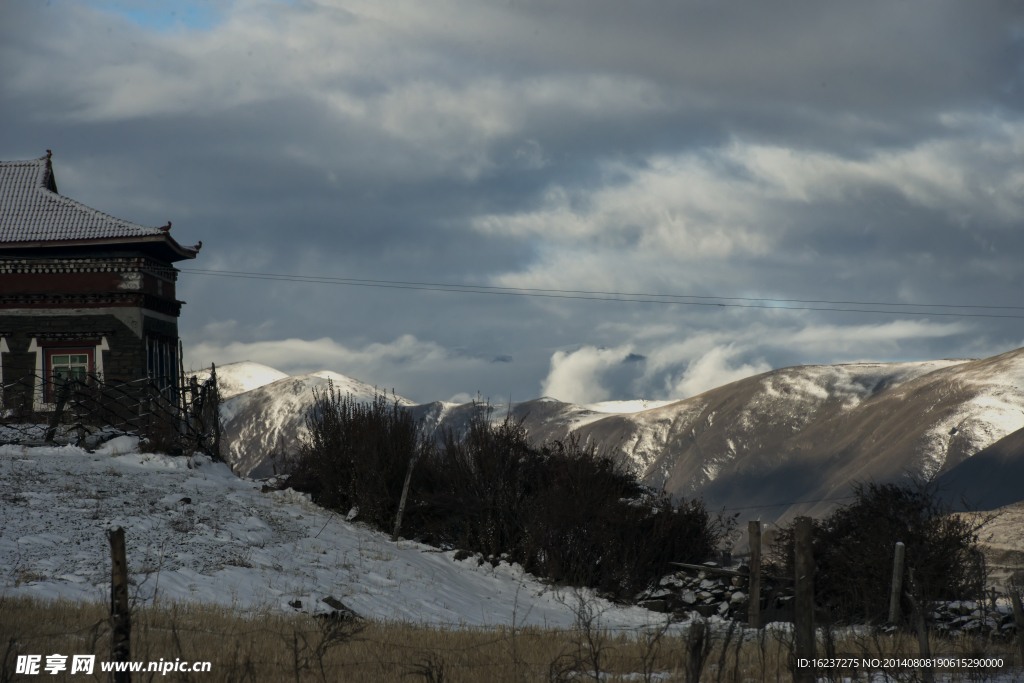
point(764, 445)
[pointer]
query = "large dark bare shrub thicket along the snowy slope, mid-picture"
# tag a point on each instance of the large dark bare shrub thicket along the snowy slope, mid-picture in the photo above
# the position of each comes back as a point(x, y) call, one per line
point(562, 510)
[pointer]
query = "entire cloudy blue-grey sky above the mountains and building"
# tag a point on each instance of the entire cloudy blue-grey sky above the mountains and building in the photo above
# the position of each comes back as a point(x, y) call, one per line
point(866, 152)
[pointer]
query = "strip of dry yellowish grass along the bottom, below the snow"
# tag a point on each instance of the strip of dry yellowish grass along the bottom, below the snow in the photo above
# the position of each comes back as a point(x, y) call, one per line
point(271, 647)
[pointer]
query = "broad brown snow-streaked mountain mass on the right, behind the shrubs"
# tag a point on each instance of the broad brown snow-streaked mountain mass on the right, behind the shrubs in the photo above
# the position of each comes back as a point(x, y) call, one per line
point(806, 434)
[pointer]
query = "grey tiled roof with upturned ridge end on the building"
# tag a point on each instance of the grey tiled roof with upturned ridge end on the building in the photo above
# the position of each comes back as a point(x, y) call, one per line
point(31, 210)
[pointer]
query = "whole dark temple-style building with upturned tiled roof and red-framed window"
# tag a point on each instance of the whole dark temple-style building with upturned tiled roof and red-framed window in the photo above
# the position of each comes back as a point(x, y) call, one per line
point(82, 294)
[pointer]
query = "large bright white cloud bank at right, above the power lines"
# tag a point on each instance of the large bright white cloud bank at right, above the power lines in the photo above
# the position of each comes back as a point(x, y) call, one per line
point(744, 200)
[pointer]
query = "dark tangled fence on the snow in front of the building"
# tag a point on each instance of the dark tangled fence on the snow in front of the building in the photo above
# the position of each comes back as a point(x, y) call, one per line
point(88, 411)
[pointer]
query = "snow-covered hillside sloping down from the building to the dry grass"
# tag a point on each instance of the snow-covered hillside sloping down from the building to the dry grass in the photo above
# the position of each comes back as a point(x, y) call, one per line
point(197, 533)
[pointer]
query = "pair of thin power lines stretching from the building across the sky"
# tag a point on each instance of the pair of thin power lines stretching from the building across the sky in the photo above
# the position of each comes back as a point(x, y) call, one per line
point(609, 296)
